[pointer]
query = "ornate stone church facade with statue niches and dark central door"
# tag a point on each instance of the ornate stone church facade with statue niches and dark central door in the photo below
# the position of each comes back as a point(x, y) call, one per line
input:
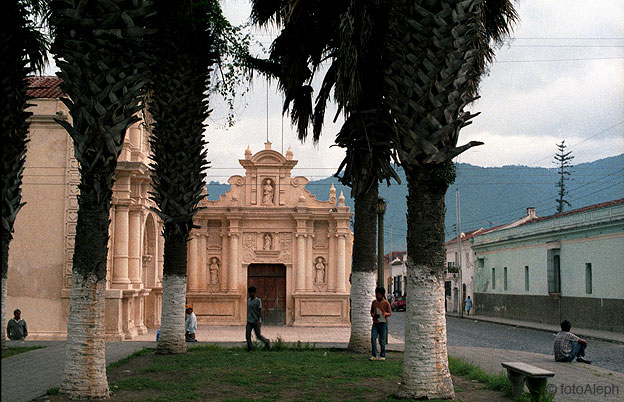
point(268, 231)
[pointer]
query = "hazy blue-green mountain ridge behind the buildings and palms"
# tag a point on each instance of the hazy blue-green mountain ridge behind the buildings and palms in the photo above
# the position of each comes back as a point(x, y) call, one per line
point(488, 196)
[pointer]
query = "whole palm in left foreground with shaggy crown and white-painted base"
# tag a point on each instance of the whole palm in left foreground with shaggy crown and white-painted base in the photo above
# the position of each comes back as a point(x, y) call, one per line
point(98, 48)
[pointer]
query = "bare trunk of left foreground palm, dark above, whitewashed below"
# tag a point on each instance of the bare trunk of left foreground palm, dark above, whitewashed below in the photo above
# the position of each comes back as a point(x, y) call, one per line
point(85, 364)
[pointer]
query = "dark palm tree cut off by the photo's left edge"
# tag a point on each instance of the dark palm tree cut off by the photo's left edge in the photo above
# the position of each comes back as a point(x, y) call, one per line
point(23, 50)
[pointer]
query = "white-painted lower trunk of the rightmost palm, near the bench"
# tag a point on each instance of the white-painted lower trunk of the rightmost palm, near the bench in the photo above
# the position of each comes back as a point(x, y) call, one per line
point(425, 367)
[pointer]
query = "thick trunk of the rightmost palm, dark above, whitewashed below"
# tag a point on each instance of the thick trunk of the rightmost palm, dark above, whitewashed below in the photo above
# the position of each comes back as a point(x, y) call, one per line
point(425, 368)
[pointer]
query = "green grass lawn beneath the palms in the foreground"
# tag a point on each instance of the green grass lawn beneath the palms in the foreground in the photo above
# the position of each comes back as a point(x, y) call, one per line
point(212, 373)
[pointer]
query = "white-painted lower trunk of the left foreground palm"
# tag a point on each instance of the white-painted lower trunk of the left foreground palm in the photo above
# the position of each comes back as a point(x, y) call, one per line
point(85, 363)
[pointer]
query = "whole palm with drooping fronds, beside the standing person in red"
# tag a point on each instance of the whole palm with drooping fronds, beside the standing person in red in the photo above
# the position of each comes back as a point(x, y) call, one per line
point(338, 33)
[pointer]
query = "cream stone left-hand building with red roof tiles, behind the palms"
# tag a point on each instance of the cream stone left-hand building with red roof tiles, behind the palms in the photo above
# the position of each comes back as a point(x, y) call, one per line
point(41, 252)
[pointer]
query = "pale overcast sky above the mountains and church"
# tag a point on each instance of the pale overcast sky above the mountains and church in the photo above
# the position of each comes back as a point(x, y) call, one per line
point(561, 77)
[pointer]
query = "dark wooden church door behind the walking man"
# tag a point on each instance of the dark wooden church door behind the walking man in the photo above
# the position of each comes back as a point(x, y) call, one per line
point(270, 282)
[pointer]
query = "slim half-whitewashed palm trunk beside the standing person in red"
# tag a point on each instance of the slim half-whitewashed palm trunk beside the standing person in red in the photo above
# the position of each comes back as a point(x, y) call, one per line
point(363, 271)
